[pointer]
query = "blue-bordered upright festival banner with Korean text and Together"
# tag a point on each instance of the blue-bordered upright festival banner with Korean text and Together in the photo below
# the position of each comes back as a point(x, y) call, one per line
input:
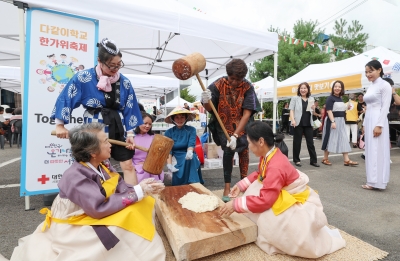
point(57, 47)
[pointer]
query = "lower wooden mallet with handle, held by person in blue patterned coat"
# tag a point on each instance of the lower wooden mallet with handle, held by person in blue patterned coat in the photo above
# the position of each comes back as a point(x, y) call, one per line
point(157, 154)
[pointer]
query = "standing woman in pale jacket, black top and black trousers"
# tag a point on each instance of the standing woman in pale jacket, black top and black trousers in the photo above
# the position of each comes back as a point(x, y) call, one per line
point(301, 120)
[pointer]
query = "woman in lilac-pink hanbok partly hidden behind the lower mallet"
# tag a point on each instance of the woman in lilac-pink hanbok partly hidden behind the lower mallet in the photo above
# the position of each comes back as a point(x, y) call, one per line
point(144, 137)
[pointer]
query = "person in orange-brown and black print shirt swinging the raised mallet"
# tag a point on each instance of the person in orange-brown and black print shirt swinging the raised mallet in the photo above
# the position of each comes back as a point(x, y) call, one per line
point(236, 102)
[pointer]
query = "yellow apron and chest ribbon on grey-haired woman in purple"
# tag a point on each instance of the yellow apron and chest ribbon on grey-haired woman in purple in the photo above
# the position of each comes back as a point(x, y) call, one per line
point(136, 218)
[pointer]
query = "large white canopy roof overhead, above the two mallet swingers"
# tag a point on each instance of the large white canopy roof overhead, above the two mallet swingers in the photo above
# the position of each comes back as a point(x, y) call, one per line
point(152, 34)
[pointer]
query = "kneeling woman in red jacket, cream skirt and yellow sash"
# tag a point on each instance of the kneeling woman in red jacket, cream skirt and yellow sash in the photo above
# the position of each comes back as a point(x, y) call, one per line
point(288, 213)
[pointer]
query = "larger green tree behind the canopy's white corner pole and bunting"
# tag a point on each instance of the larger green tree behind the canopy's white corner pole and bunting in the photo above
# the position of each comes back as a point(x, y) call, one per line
point(292, 58)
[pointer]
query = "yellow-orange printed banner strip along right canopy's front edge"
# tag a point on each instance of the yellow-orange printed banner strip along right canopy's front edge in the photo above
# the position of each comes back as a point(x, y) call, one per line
point(323, 86)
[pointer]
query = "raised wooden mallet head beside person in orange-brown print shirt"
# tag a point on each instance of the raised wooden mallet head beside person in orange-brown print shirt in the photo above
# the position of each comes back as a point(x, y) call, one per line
point(189, 65)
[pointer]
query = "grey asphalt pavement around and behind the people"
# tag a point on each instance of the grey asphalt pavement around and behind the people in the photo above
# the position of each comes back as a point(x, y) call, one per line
point(372, 216)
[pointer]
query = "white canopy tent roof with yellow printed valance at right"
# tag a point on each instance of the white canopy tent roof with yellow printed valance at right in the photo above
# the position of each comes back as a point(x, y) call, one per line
point(351, 71)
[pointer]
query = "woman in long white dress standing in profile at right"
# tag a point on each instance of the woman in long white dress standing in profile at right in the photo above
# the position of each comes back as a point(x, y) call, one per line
point(376, 128)
